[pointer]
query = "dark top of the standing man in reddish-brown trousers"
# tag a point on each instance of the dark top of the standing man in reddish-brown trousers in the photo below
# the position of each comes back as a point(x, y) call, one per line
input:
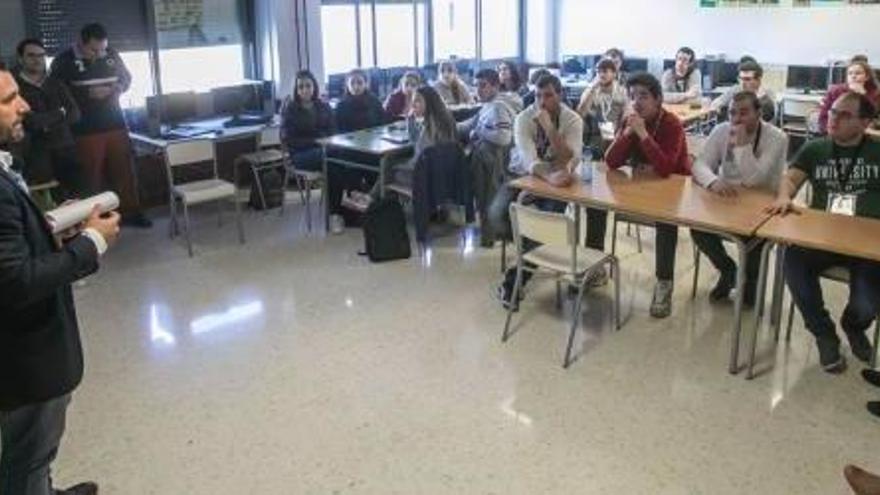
point(80, 75)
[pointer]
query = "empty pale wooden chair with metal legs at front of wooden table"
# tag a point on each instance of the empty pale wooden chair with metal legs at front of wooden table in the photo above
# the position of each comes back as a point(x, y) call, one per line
point(560, 254)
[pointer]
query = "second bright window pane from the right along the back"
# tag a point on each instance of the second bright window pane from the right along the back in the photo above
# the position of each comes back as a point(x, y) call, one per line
point(455, 28)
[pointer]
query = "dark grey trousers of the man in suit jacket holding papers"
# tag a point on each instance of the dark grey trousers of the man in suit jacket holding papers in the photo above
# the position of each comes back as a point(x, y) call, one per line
point(30, 438)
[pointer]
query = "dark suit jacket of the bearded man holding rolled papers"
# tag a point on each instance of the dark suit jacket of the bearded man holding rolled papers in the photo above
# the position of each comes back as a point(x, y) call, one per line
point(40, 351)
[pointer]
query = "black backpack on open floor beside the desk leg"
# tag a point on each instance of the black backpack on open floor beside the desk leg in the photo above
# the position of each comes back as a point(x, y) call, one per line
point(385, 235)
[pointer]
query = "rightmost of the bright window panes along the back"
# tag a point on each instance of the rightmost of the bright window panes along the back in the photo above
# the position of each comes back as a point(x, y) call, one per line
point(499, 28)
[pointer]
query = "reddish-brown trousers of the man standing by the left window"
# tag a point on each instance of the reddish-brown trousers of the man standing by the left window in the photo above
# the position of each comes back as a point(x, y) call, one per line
point(106, 159)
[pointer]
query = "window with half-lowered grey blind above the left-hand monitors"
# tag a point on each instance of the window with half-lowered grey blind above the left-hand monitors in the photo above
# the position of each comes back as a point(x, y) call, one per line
point(201, 44)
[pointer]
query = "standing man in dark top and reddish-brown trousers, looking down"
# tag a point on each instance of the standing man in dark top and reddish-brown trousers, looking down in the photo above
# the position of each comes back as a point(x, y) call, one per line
point(97, 76)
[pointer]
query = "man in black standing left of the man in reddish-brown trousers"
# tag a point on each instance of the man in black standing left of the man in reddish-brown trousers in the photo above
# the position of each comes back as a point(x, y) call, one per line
point(50, 152)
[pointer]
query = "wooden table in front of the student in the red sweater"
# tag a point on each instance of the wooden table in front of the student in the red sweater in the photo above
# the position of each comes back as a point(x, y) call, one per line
point(675, 200)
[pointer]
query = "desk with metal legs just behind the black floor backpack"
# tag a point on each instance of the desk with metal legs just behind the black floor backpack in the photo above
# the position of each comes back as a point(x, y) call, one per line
point(383, 142)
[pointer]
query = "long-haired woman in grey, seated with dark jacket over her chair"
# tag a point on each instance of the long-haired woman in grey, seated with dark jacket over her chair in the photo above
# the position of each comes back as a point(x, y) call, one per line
point(429, 123)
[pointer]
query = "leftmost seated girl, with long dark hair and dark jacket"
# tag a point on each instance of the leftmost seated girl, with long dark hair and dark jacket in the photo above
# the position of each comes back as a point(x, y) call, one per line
point(304, 119)
